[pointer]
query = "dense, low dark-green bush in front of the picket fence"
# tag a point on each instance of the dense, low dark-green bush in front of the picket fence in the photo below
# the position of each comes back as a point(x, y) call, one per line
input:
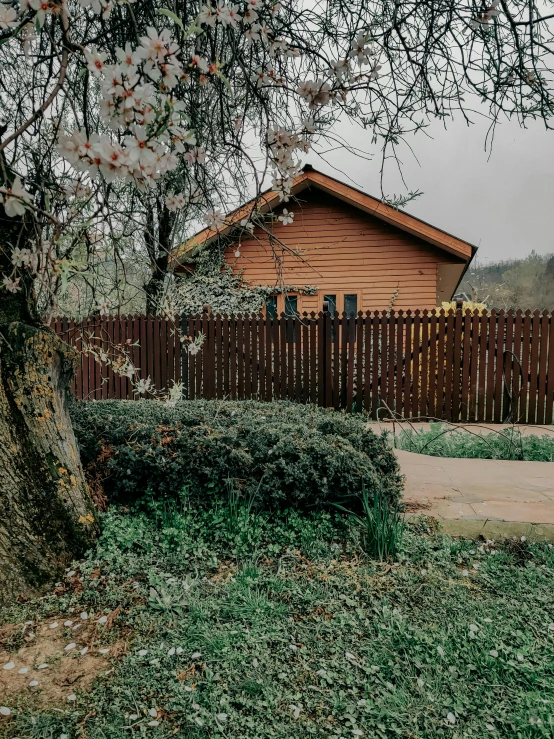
point(282, 454)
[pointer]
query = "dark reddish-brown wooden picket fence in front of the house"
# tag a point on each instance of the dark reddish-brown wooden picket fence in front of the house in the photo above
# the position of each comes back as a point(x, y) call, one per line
point(454, 366)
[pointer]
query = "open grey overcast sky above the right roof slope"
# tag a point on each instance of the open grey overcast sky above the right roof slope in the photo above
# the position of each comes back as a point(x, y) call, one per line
point(501, 201)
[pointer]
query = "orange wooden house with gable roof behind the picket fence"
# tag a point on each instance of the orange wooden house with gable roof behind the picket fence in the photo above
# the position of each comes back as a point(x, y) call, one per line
point(343, 247)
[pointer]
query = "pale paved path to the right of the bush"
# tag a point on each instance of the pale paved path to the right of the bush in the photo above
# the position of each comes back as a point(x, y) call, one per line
point(481, 496)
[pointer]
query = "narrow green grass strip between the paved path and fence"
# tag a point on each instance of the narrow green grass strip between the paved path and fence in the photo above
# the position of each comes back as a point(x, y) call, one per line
point(443, 440)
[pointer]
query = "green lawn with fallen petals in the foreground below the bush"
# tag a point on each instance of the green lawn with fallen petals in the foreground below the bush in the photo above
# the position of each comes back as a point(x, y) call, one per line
point(248, 626)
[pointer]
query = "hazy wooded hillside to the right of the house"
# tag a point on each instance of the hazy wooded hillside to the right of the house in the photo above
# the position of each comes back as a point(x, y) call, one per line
point(518, 283)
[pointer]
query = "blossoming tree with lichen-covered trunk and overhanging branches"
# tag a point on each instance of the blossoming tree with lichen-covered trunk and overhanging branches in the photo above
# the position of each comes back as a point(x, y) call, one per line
point(109, 106)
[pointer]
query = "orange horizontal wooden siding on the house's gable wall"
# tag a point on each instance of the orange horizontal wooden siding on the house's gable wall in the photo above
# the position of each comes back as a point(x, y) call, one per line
point(342, 250)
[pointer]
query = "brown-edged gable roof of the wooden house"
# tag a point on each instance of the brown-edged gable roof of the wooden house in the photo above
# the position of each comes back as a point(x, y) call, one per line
point(310, 177)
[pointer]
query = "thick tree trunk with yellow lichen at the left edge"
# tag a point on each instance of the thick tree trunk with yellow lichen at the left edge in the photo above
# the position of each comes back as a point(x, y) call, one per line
point(47, 517)
